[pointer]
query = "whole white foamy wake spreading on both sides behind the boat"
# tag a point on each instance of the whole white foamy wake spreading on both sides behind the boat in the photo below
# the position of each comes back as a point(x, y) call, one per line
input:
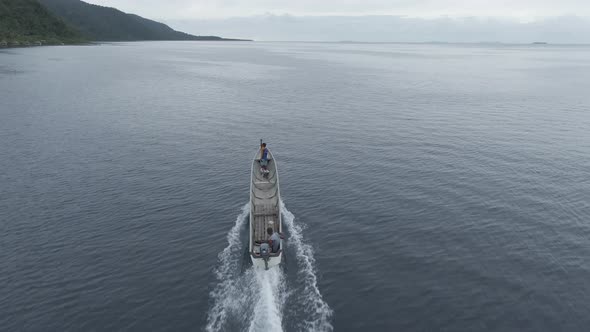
point(254, 300)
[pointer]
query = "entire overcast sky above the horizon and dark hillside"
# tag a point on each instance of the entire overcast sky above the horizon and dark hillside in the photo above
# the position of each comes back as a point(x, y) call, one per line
point(565, 21)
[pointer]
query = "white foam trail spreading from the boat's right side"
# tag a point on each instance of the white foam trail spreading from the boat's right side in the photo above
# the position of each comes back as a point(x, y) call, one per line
point(316, 311)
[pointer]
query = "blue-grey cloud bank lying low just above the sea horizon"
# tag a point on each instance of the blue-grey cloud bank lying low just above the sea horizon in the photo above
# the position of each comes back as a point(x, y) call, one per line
point(566, 29)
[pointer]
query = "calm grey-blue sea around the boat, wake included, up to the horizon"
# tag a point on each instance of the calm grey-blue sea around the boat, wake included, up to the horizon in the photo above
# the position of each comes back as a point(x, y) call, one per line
point(426, 187)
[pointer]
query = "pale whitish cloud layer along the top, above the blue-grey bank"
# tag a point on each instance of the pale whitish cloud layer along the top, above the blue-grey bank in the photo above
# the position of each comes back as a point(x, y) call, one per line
point(172, 9)
